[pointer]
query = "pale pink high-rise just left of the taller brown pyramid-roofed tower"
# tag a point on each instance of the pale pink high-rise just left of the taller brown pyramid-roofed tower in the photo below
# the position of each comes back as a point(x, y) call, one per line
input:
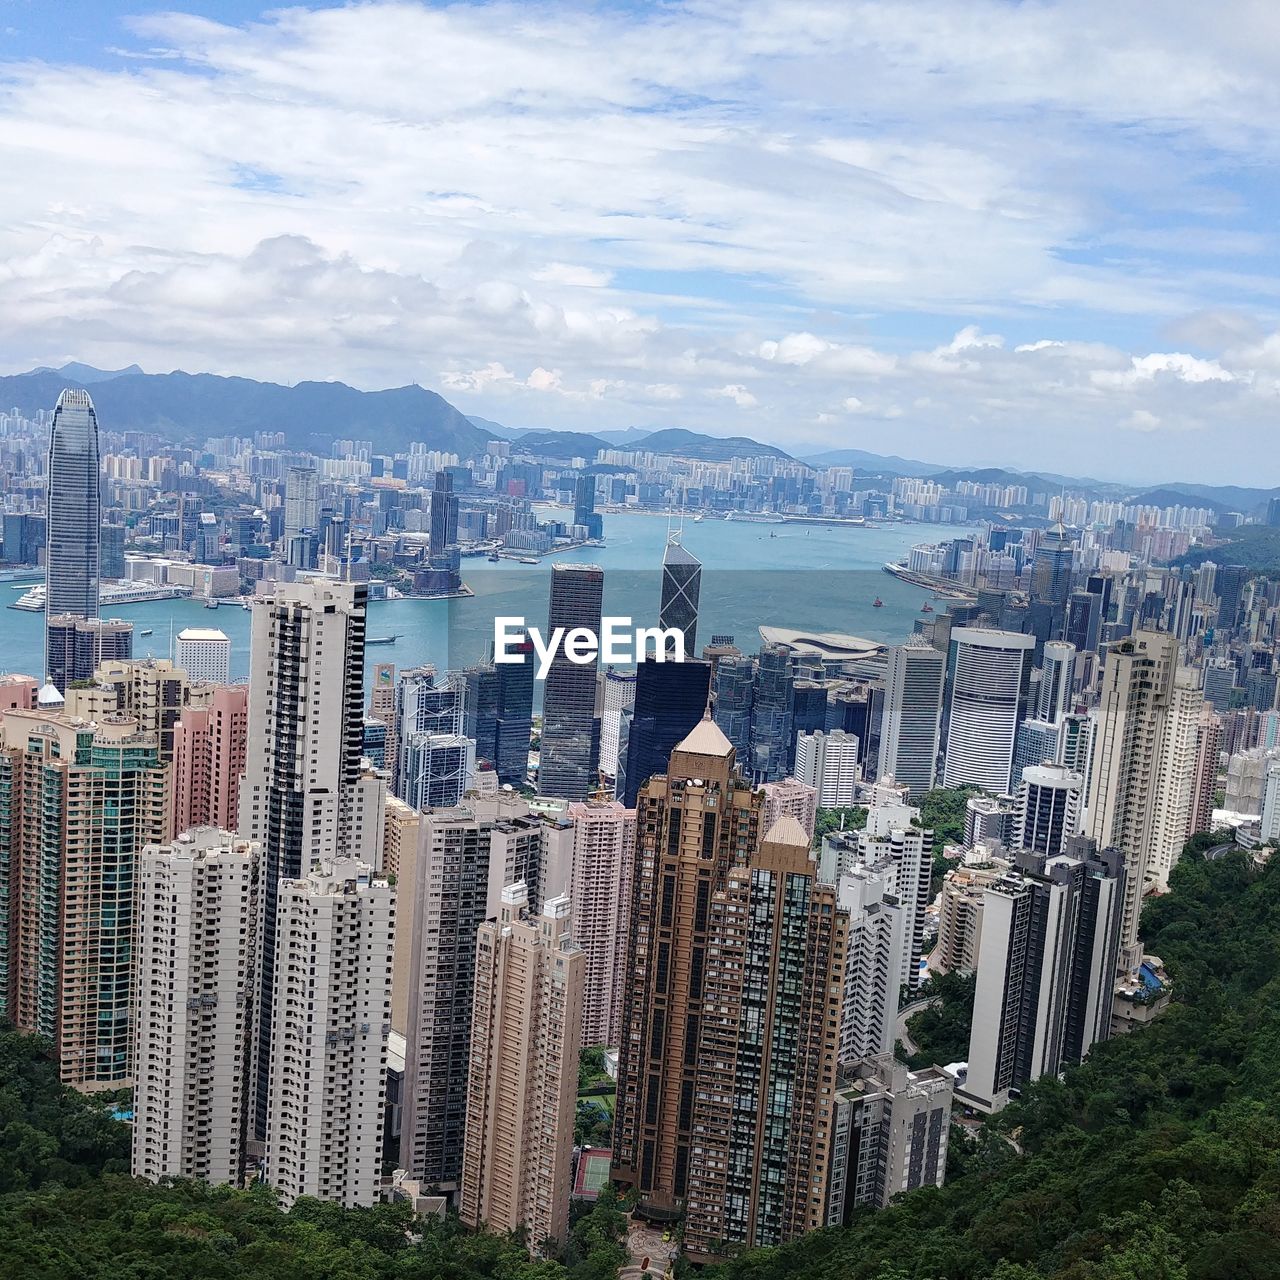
point(605, 836)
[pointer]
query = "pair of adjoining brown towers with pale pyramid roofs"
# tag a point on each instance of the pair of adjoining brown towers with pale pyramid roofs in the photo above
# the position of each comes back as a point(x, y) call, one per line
point(728, 1063)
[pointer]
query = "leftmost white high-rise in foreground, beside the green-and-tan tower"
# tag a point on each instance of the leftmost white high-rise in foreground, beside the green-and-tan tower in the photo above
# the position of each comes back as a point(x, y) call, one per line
point(196, 918)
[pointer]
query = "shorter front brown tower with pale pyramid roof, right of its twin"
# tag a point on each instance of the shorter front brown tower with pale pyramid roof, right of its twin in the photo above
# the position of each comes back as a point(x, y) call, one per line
point(767, 1050)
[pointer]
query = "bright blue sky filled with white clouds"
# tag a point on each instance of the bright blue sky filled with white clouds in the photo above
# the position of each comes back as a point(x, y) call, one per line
point(1031, 235)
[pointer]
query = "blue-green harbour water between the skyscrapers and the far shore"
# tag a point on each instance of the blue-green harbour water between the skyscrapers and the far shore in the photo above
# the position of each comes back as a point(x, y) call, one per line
point(819, 578)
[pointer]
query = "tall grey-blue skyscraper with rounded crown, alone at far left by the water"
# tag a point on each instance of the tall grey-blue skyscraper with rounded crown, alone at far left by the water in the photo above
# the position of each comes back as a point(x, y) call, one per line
point(75, 513)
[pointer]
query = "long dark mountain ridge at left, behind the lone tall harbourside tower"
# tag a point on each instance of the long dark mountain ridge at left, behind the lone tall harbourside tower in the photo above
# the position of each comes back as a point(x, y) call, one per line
point(312, 415)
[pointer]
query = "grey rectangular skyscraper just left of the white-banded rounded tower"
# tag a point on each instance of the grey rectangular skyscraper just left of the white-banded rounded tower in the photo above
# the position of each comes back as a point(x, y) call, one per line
point(913, 710)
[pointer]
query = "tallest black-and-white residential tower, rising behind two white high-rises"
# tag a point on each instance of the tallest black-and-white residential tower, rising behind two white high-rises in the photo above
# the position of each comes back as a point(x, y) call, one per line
point(304, 798)
